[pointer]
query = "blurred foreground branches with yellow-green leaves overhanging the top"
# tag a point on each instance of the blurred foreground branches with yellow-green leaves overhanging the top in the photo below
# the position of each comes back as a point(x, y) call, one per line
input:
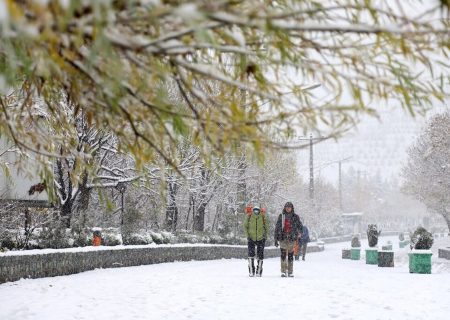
point(221, 73)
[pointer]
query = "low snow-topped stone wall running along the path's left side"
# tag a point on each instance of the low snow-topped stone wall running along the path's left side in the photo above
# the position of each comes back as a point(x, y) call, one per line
point(39, 265)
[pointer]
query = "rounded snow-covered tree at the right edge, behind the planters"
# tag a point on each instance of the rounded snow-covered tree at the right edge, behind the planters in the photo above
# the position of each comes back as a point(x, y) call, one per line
point(427, 173)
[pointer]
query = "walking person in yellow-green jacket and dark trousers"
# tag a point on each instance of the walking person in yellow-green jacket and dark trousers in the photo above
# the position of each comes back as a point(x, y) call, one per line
point(256, 229)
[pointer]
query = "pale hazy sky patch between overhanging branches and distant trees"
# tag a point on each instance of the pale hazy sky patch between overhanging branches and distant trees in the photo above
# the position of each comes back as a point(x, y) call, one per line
point(375, 145)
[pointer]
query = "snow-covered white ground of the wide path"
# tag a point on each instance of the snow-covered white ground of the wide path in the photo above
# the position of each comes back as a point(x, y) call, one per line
point(324, 287)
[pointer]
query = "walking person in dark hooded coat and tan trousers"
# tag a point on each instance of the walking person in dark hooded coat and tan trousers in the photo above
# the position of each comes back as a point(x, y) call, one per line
point(287, 232)
